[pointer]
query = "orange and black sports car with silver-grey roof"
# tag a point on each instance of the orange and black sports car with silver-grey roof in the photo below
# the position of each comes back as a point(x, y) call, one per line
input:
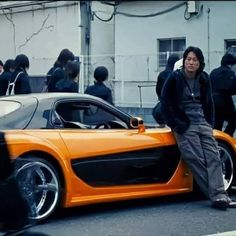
point(75, 149)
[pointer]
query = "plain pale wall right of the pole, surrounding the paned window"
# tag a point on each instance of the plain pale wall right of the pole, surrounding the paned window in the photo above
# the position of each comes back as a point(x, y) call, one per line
point(136, 42)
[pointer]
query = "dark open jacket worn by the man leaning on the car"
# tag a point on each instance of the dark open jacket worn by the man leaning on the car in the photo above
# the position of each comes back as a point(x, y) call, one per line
point(171, 99)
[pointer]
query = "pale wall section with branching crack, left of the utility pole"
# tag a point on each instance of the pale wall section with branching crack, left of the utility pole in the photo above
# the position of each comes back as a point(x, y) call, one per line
point(40, 34)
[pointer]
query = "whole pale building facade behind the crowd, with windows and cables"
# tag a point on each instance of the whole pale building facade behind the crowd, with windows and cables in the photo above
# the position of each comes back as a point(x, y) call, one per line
point(133, 39)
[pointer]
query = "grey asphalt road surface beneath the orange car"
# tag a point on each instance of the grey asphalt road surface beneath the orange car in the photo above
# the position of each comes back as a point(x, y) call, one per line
point(181, 215)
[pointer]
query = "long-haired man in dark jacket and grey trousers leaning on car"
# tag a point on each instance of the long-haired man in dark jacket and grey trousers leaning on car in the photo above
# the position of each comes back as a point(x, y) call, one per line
point(187, 104)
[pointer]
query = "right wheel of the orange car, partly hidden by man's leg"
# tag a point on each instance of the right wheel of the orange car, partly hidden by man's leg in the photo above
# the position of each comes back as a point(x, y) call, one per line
point(227, 165)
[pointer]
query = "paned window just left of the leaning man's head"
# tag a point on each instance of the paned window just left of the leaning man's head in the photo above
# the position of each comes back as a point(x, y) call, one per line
point(166, 47)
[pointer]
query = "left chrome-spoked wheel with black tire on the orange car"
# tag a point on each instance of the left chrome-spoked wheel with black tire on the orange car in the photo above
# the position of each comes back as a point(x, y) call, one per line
point(40, 185)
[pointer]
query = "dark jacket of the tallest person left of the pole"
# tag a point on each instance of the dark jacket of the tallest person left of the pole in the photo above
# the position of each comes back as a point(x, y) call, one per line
point(55, 74)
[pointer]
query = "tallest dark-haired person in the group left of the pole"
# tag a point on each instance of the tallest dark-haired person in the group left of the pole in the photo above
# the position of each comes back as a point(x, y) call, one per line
point(57, 72)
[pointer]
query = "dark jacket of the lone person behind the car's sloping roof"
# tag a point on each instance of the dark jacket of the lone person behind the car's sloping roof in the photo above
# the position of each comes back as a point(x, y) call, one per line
point(99, 89)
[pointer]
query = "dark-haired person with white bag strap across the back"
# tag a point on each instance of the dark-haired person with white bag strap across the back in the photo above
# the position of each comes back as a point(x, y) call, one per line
point(20, 75)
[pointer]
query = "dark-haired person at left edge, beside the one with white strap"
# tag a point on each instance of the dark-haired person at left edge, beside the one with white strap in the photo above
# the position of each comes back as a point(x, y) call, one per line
point(5, 77)
